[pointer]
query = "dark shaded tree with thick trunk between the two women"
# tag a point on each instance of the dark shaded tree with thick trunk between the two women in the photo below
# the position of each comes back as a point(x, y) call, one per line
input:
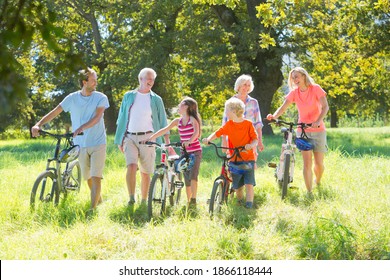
point(256, 47)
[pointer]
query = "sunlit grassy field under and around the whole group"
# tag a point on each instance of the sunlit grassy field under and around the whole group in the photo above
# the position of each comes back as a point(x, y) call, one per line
point(347, 219)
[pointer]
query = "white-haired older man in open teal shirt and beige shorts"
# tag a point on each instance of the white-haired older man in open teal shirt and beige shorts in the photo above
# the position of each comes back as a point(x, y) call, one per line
point(142, 112)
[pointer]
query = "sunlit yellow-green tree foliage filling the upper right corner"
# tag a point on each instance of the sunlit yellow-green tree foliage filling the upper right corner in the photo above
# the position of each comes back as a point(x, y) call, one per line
point(343, 44)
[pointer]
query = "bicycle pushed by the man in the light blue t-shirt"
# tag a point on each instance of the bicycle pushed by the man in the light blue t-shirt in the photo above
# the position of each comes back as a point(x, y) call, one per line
point(52, 182)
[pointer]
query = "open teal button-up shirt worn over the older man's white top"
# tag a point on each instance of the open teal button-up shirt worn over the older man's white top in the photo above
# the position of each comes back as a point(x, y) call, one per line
point(159, 117)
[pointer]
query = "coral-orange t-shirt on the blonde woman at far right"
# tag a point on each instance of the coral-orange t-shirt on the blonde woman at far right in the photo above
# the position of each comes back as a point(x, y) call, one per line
point(309, 106)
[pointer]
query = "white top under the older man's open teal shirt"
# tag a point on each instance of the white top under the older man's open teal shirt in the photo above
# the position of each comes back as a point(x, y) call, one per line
point(140, 119)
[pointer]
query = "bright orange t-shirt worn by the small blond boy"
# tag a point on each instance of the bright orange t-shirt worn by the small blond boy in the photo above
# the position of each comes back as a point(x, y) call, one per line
point(239, 134)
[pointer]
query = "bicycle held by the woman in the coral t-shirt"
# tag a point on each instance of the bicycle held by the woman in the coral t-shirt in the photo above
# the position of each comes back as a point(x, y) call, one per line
point(284, 170)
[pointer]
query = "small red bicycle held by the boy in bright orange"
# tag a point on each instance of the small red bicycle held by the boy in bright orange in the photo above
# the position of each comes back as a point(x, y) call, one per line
point(222, 186)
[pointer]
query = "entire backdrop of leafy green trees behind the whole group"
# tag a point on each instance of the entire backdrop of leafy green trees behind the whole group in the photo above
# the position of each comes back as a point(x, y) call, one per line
point(198, 49)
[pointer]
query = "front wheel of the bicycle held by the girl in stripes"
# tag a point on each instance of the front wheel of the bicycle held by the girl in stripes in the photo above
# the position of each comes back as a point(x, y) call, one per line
point(157, 196)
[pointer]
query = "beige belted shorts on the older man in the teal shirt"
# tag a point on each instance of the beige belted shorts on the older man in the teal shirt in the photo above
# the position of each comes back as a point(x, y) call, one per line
point(135, 151)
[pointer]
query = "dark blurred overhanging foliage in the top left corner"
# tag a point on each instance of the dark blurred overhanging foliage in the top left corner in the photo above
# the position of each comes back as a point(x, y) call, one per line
point(20, 21)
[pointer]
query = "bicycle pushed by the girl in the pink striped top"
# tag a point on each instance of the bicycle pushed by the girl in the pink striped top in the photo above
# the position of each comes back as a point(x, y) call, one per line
point(167, 178)
